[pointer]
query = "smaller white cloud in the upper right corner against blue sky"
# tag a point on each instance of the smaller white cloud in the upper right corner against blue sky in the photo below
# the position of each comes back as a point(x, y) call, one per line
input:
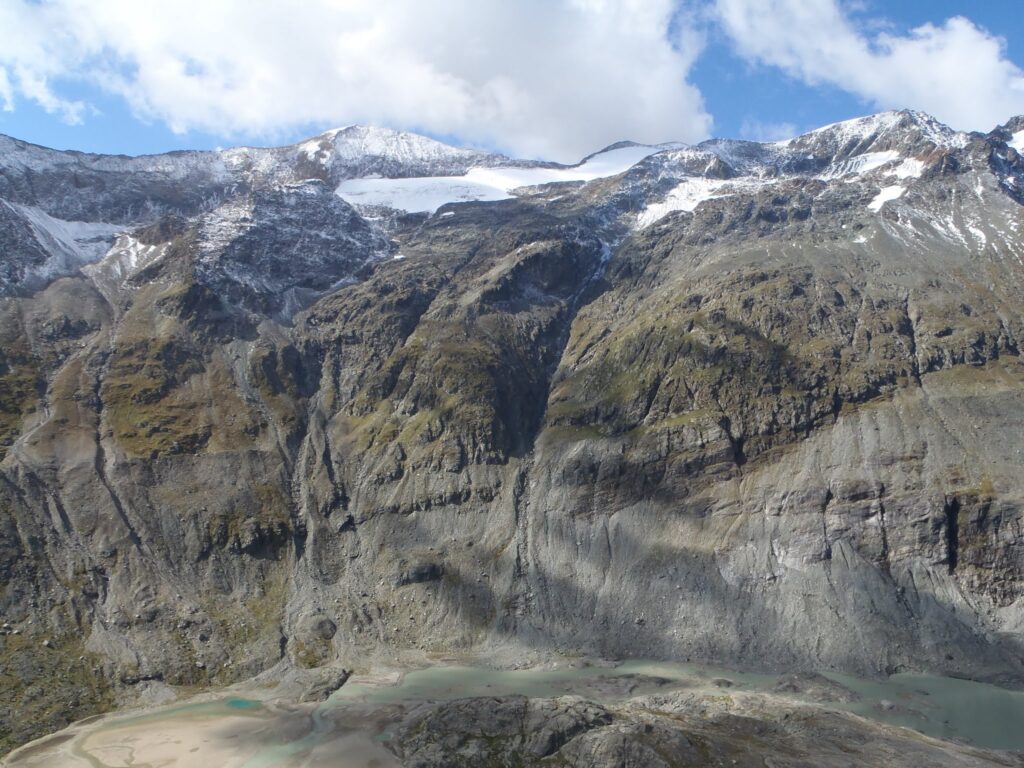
point(957, 71)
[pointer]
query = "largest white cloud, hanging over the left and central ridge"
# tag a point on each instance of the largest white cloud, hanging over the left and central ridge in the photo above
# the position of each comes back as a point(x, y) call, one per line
point(551, 78)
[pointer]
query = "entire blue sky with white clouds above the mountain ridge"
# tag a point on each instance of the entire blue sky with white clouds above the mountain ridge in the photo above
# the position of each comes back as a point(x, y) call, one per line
point(545, 78)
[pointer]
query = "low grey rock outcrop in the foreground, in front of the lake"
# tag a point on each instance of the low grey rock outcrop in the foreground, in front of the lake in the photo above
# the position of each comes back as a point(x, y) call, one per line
point(667, 732)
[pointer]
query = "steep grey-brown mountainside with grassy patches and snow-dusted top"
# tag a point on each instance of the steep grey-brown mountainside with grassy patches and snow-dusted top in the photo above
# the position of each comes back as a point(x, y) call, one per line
point(747, 404)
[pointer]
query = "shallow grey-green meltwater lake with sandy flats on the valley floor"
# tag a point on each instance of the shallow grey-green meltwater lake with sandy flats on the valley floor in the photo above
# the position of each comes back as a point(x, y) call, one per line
point(347, 731)
